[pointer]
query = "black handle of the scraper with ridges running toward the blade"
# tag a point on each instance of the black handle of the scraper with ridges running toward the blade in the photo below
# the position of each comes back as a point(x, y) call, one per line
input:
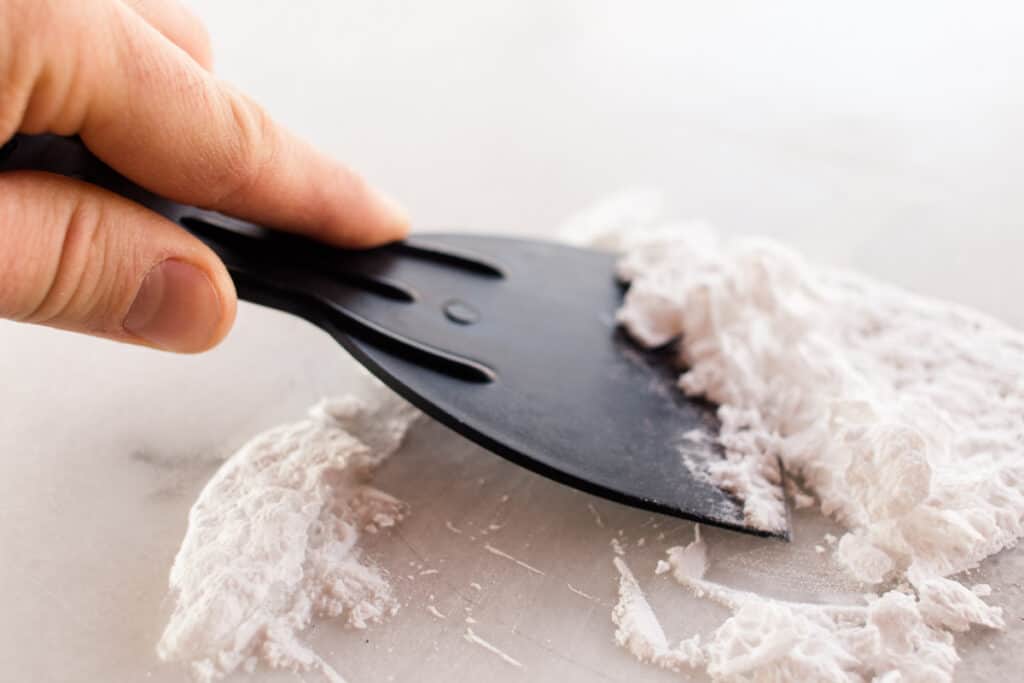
point(325, 285)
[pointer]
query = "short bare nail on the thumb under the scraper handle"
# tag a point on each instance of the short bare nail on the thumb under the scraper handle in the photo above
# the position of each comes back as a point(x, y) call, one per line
point(177, 309)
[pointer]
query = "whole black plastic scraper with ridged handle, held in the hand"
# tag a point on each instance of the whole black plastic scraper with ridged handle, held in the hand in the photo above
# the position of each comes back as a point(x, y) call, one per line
point(509, 343)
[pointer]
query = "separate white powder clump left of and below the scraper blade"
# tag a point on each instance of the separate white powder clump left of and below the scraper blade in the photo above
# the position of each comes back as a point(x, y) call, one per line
point(273, 542)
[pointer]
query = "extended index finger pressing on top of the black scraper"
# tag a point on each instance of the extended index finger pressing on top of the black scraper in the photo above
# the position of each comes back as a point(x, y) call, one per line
point(157, 117)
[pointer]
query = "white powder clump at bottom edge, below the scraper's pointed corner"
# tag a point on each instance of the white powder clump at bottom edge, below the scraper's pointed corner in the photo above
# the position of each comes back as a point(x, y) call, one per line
point(889, 637)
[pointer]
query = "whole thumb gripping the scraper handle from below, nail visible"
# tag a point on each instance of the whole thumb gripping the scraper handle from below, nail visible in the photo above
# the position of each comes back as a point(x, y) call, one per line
point(77, 258)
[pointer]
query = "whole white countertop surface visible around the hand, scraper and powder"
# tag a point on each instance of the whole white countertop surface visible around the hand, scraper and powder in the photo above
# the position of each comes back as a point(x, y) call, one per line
point(875, 137)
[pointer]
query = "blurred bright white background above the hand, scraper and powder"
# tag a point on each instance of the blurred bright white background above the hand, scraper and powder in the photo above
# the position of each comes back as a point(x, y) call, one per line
point(884, 136)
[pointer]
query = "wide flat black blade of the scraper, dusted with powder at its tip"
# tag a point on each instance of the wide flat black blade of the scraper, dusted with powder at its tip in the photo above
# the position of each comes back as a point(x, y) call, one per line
point(572, 398)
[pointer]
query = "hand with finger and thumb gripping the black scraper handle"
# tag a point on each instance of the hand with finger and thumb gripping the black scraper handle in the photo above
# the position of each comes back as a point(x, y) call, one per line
point(134, 79)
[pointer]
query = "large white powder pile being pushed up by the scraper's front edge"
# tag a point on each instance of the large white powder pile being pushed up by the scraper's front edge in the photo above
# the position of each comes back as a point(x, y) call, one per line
point(900, 414)
